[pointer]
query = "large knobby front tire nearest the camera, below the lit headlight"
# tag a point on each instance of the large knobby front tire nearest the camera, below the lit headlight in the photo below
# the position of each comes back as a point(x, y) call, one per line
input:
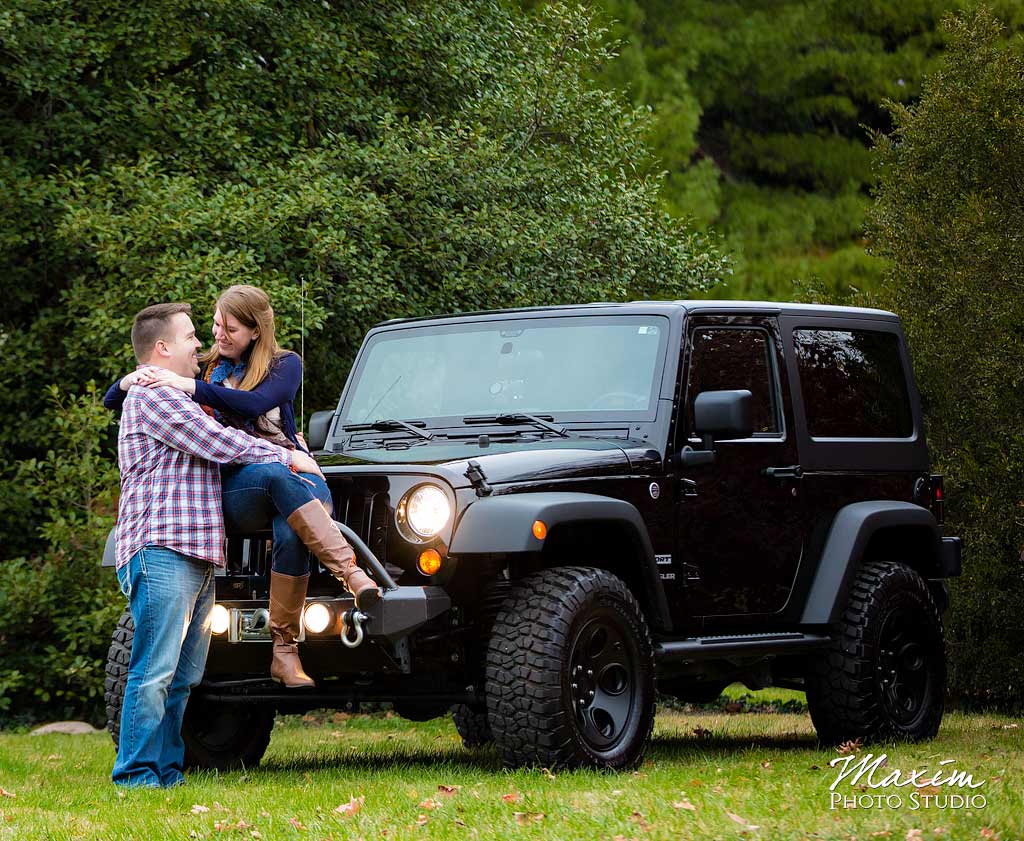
point(571, 672)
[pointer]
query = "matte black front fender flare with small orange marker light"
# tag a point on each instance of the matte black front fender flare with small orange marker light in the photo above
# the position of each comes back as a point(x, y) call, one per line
point(503, 524)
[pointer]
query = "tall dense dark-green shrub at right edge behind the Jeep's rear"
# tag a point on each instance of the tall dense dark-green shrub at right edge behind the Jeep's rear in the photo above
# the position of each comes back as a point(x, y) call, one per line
point(948, 218)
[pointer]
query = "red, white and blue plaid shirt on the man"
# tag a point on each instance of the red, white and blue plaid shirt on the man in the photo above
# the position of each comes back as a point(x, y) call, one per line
point(169, 451)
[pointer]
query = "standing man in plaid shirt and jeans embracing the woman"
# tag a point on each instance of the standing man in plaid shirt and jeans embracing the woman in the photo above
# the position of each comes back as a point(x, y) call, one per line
point(170, 534)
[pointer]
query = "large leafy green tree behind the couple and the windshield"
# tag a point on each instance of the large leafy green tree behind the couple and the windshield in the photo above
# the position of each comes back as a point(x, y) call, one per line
point(360, 161)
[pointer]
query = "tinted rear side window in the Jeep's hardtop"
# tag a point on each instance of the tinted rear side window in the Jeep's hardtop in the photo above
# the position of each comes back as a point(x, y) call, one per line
point(854, 385)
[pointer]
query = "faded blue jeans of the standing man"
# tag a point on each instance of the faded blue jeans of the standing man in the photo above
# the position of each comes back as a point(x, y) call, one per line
point(170, 597)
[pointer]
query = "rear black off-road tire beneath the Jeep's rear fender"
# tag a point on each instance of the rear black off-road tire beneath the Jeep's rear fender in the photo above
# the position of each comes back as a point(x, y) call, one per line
point(884, 677)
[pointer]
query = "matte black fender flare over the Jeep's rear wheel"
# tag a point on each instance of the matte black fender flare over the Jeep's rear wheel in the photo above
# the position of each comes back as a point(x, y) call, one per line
point(849, 537)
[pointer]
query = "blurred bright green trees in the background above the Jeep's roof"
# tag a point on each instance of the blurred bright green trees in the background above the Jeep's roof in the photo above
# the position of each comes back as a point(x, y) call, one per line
point(762, 118)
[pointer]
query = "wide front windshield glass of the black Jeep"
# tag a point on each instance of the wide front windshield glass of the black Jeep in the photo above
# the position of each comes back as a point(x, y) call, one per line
point(569, 368)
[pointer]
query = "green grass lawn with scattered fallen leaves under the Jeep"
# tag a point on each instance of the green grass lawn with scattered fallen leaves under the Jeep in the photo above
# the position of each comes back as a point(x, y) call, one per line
point(707, 775)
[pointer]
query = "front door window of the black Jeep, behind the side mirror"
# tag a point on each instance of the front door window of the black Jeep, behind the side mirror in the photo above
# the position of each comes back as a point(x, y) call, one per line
point(727, 358)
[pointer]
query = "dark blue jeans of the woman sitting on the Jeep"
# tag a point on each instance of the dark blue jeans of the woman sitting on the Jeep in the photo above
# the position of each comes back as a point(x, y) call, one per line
point(258, 497)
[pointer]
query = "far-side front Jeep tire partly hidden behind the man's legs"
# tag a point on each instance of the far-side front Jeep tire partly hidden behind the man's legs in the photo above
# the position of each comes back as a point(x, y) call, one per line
point(224, 737)
